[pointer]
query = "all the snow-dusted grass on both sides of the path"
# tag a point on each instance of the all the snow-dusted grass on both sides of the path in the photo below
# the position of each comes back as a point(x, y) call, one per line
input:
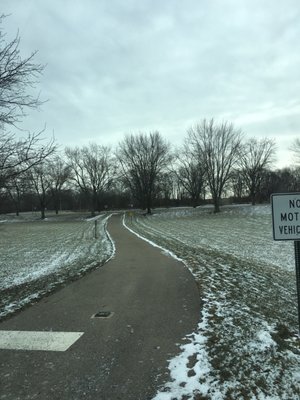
point(246, 345)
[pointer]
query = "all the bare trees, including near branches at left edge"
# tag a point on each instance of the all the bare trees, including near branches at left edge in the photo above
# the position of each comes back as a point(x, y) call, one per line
point(143, 170)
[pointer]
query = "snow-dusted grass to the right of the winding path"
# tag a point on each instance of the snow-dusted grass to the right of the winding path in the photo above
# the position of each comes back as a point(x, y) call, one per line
point(246, 345)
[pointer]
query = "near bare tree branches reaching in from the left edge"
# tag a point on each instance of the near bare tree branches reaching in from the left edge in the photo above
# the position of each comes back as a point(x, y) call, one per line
point(18, 76)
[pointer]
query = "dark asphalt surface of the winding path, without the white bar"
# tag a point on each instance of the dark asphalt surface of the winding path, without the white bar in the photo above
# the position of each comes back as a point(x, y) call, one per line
point(154, 303)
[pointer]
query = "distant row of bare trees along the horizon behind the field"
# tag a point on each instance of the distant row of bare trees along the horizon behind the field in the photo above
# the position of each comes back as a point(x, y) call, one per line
point(144, 171)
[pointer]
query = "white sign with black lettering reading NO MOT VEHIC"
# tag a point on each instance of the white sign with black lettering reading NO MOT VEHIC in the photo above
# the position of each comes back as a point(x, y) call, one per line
point(286, 216)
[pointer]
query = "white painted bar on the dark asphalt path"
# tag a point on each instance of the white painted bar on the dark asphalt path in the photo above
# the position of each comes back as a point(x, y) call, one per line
point(32, 340)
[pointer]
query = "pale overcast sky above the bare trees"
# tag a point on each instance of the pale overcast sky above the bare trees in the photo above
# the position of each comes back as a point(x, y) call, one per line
point(125, 66)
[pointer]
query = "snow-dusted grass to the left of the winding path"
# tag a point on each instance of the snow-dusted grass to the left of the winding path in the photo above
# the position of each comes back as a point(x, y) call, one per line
point(38, 256)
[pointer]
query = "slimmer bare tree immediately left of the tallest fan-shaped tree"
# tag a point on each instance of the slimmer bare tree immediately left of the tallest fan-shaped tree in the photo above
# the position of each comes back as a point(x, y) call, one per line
point(190, 172)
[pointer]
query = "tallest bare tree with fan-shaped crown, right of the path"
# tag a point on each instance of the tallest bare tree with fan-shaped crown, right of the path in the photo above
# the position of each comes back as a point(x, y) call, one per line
point(218, 147)
